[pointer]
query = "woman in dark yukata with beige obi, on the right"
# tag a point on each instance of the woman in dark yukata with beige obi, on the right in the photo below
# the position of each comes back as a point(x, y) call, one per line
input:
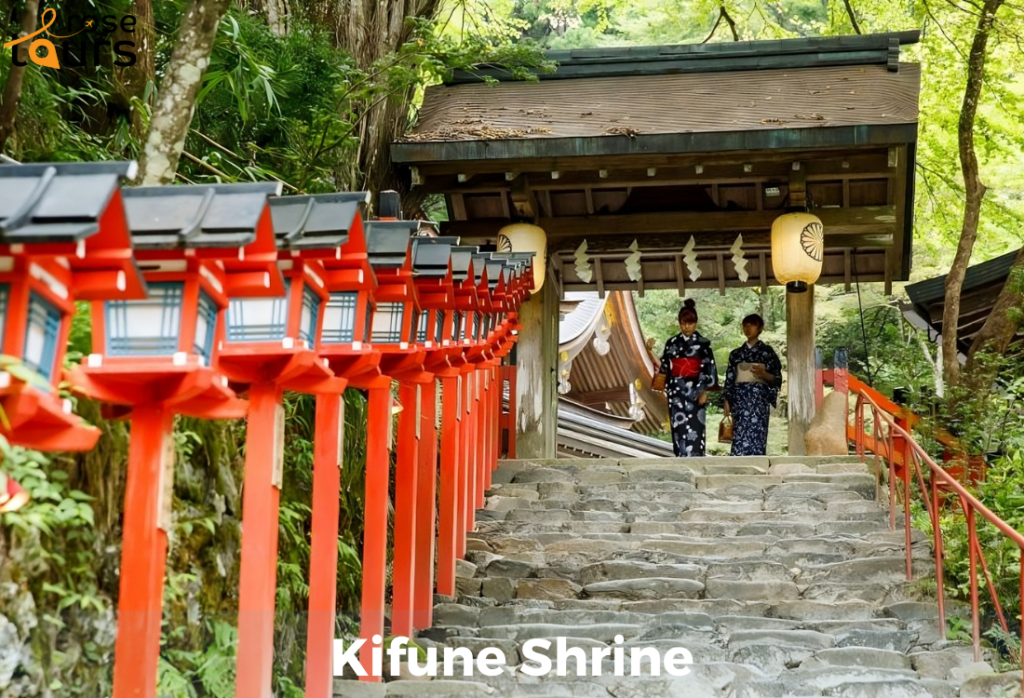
point(752, 384)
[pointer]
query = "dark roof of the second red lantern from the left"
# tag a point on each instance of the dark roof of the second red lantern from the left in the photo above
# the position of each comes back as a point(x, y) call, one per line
point(197, 215)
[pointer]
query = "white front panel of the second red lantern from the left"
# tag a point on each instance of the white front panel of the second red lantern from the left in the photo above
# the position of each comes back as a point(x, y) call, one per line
point(146, 328)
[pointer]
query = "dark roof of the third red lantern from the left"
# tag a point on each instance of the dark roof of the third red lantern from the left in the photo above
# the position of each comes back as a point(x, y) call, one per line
point(317, 222)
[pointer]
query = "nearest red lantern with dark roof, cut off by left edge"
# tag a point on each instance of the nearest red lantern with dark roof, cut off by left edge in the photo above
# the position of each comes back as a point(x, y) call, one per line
point(63, 238)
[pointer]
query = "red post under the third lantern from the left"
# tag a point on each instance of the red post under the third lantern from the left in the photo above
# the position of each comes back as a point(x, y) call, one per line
point(262, 495)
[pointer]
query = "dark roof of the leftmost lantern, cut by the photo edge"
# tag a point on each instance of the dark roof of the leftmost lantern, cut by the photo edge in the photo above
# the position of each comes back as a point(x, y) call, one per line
point(57, 202)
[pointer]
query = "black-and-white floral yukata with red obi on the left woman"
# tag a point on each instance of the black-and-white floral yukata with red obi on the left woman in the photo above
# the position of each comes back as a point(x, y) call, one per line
point(690, 367)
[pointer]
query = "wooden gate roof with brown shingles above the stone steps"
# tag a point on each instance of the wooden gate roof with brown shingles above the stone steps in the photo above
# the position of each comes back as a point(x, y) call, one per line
point(656, 145)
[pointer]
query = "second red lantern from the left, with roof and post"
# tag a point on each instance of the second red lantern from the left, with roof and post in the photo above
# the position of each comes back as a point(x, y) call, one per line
point(159, 357)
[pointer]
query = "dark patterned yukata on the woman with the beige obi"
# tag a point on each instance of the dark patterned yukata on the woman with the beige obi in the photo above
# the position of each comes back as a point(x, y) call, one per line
point(750, 403)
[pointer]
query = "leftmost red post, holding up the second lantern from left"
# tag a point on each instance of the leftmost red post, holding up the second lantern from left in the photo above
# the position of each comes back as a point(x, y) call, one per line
point(144, 554)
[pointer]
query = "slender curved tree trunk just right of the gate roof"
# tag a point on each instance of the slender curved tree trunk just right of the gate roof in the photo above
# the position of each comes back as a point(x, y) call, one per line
point(974, 190)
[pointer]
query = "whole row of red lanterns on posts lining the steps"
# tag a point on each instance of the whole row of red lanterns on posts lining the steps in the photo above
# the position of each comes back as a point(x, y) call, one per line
point(202, 293)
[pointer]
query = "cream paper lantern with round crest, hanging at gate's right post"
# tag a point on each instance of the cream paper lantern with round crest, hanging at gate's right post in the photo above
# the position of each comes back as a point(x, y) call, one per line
point(797, 250)
